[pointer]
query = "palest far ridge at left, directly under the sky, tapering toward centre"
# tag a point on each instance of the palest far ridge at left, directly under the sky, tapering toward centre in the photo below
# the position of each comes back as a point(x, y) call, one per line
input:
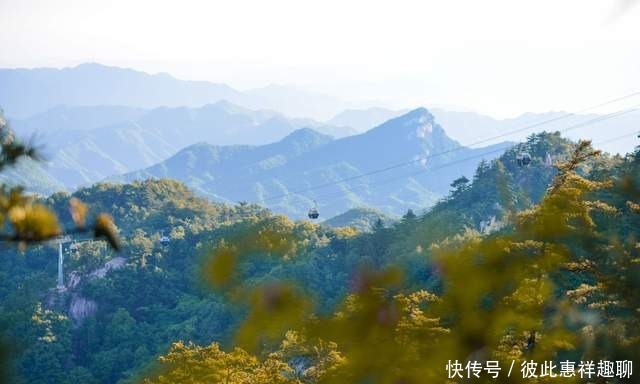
point(25, 92)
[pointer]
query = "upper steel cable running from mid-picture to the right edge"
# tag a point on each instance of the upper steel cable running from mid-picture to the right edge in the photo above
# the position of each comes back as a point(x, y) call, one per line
point(399, 165)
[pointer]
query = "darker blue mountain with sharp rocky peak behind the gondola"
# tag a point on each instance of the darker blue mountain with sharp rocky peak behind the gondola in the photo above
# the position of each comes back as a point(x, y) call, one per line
point(289, 175)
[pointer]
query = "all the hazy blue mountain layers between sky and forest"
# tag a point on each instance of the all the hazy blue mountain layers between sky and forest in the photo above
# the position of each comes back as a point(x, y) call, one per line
point(99, 122)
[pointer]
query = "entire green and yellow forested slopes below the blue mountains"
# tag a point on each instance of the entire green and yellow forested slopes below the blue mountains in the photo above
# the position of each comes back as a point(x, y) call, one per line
point(221, 278)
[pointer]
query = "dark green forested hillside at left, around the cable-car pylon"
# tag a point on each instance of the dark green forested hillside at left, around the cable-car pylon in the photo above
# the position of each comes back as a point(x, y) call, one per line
point(142, 298)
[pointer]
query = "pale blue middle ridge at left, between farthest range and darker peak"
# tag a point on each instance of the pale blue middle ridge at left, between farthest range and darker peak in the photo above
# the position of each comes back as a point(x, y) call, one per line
point(85, 144)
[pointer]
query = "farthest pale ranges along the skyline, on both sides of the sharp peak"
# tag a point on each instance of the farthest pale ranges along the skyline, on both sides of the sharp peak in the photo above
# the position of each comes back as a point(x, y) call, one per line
point(27, 92)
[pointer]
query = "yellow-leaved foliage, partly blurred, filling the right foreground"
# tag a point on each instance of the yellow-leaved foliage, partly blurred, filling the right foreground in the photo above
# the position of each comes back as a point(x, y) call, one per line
point(552, 285)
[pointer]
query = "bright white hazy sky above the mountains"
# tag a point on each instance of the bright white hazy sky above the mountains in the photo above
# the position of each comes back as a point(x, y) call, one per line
point(498, 57)
